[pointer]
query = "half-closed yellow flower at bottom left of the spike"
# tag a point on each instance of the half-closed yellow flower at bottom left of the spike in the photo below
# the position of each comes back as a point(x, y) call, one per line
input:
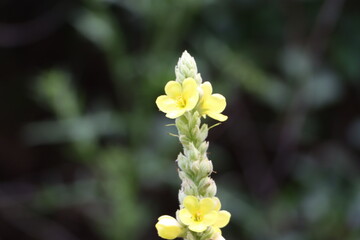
point(168, 227)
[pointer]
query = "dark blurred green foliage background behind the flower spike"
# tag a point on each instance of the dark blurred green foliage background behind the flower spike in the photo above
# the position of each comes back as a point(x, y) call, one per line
point(85, 153)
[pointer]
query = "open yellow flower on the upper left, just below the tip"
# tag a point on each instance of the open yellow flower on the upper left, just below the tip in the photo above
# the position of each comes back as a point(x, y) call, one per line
point(179, 98)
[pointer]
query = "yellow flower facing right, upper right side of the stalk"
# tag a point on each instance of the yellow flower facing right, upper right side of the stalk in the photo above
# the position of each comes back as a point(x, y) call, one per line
point(212, 104)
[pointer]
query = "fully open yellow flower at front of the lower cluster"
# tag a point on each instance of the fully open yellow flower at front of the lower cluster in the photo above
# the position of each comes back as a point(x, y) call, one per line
point(198, 215)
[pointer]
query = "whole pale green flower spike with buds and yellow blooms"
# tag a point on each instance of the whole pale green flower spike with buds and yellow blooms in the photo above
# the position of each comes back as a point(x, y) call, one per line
point(187, 100)
